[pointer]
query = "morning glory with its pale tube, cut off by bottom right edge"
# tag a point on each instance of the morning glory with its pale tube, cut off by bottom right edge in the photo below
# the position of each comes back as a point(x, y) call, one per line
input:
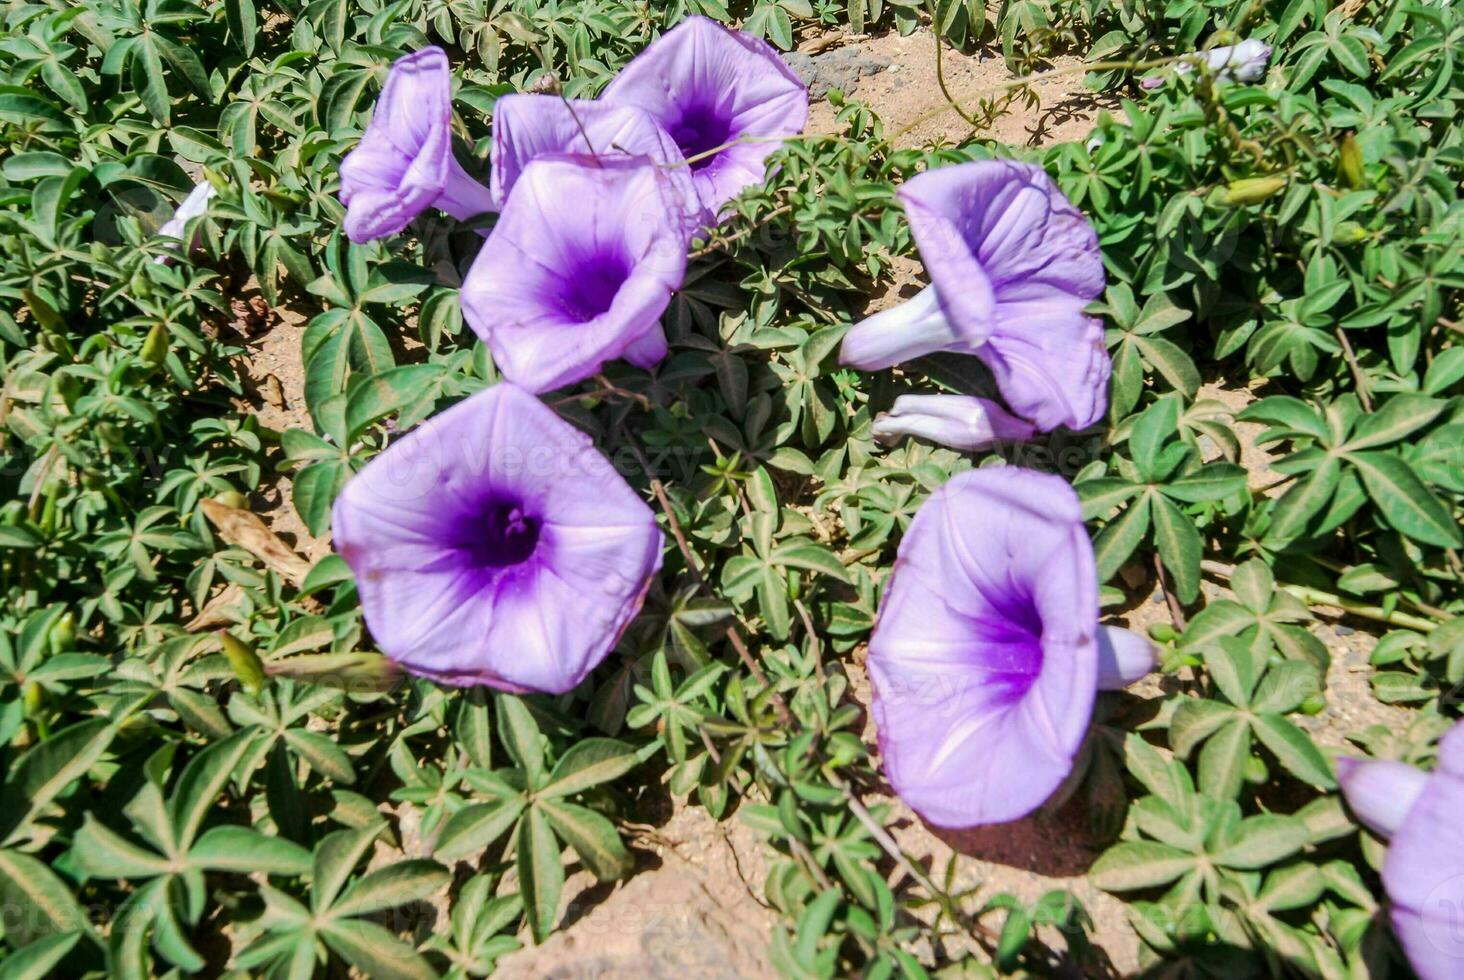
point(1424, 872)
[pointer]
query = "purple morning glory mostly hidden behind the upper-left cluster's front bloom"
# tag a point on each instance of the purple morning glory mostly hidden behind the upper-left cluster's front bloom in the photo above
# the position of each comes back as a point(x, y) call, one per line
point(529, 127)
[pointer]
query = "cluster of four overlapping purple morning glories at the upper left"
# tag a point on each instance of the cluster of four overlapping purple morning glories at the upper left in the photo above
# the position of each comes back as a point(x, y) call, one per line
point(598, 198)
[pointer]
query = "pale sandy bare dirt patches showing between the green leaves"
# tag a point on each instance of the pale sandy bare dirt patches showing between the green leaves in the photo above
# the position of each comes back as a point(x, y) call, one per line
point(696, 907)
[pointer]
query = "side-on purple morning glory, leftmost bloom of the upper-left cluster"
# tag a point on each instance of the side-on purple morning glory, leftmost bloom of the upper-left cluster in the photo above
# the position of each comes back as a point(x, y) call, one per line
point(405, 160)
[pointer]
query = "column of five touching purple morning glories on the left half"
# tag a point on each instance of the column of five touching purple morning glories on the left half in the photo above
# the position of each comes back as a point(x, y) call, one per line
point(496, 546)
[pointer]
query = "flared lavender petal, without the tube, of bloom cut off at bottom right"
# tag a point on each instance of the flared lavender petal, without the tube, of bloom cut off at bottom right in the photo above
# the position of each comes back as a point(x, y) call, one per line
point(1425, 869)
